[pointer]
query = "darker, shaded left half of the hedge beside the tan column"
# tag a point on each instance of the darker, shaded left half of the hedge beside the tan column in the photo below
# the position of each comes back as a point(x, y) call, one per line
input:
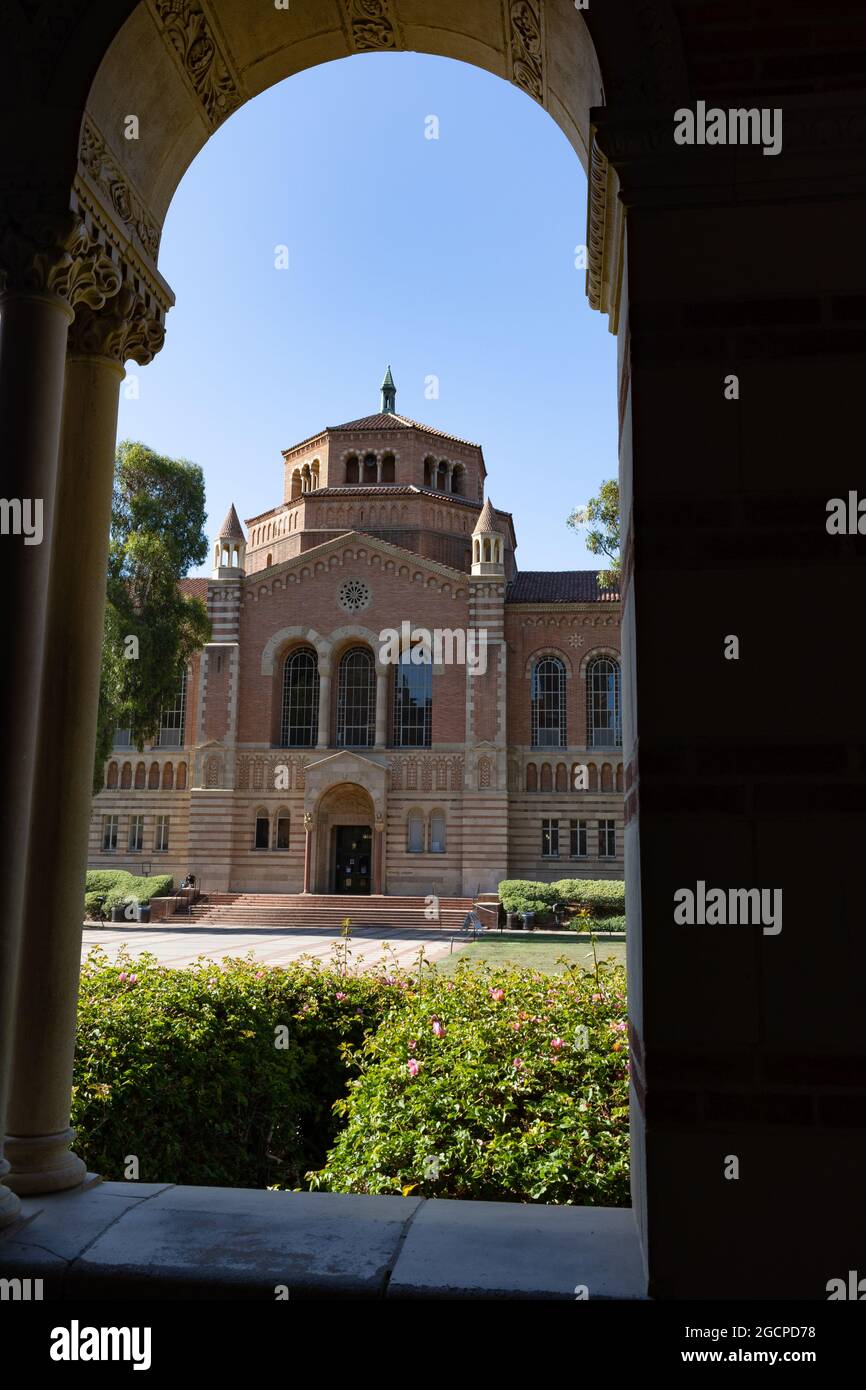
point(181, 1068)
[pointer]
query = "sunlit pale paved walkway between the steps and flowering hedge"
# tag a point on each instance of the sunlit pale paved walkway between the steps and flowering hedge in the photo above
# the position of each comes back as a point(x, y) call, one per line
point(183, 946)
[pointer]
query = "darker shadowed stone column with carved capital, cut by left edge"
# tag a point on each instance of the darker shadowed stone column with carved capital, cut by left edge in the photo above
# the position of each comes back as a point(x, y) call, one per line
point(48, 265)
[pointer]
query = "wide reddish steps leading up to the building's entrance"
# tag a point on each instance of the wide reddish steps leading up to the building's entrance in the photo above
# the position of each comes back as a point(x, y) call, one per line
point(323, 911)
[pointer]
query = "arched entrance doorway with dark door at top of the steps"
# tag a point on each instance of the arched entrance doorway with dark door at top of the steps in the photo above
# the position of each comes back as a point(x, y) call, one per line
point(345, 842)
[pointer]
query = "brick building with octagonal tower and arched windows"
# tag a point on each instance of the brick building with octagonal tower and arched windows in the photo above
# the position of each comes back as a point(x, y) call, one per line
point(387, 704)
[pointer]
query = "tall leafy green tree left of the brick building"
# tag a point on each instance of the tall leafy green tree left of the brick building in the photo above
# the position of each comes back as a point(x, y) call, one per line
point(152, 629)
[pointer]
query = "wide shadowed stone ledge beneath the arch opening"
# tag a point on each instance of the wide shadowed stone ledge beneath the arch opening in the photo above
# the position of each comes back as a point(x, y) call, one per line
point(129, 1241)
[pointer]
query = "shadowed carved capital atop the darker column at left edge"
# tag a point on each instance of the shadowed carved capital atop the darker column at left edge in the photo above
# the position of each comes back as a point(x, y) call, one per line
point(58, 255)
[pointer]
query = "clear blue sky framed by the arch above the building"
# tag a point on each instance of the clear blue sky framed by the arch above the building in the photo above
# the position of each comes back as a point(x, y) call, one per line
point(451, 258)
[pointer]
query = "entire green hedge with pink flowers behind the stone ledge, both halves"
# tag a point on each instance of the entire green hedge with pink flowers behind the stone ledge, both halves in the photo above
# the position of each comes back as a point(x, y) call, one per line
point(496, 1084)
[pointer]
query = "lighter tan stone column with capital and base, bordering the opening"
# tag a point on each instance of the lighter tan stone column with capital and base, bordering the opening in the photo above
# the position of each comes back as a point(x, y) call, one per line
point(38, 1131)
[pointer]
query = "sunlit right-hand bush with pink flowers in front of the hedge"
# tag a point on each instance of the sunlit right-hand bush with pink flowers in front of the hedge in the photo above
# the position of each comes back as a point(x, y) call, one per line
point(477, 1088)
